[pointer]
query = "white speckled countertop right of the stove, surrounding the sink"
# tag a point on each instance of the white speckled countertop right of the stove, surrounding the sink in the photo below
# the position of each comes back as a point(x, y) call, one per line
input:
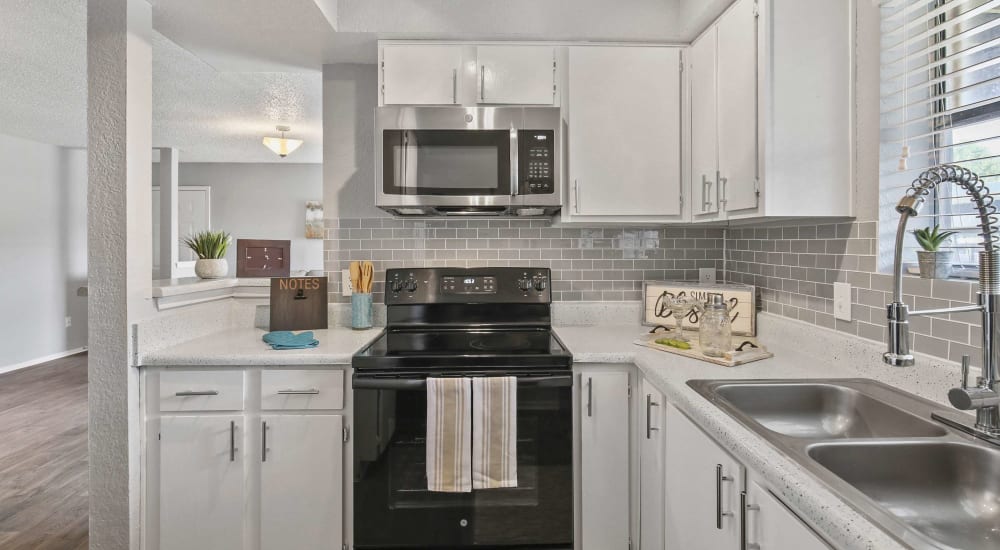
point(801, 351)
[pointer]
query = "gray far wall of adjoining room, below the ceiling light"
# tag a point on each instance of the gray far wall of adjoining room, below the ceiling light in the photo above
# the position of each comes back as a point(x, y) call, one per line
point(261, 201)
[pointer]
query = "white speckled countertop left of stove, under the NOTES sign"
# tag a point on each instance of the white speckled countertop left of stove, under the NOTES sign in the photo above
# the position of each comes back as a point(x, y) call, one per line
point(244, 346)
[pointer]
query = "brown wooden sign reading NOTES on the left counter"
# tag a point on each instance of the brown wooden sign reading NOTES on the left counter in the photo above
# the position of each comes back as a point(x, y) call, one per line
point(298, 303)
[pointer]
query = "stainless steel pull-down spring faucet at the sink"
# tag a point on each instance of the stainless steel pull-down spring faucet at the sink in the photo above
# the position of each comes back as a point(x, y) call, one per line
point(982, 397)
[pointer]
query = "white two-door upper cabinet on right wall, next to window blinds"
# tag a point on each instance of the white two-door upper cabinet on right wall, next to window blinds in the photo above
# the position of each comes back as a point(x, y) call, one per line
point(782, 116)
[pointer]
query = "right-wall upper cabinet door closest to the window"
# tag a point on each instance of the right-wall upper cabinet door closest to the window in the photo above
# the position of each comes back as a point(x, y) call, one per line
point(737, 73)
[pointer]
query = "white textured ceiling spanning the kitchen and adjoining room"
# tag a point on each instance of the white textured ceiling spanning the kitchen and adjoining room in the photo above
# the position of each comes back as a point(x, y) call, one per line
point(225, 72)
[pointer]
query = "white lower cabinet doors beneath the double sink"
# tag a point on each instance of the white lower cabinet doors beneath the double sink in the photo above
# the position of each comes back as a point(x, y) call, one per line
point(714, 503)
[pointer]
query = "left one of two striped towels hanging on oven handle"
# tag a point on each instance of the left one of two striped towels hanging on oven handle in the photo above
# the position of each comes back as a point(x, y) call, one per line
point(449, 435)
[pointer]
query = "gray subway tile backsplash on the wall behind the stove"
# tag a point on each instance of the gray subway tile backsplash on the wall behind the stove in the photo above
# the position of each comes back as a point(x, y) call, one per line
point(588, 264)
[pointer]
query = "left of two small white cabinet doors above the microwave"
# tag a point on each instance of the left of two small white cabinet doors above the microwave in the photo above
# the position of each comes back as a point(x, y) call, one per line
point(421, 75)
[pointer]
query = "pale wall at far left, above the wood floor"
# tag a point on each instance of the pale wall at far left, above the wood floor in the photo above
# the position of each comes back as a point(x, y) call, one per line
point(43, 244)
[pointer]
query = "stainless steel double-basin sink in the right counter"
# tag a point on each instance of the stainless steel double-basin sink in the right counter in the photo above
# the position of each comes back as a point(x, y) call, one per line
point(878, 448)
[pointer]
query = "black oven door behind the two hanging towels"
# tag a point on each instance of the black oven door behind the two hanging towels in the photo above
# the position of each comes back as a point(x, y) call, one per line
point(394, 509)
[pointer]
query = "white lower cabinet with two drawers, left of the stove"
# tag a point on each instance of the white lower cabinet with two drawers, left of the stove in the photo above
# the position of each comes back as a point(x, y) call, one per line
point(247, 478)
